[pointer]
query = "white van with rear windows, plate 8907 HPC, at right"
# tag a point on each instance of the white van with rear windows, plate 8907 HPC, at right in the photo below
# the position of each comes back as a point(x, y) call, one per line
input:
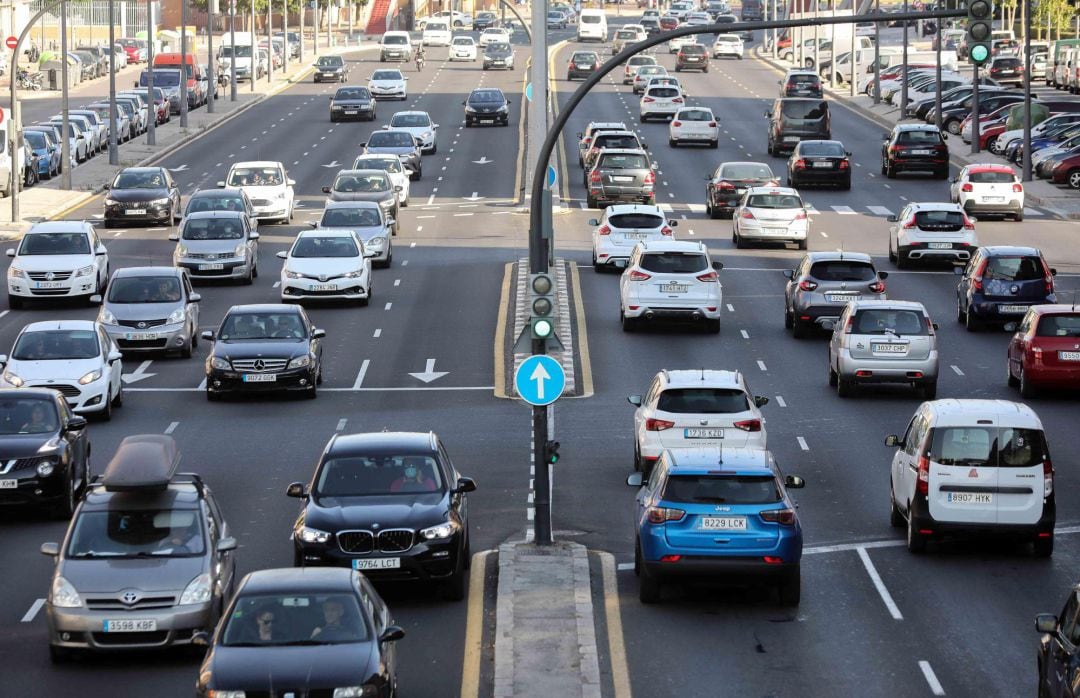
point(974, 467)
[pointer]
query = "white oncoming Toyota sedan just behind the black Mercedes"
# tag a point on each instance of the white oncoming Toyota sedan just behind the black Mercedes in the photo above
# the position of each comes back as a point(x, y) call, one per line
point(327, 265)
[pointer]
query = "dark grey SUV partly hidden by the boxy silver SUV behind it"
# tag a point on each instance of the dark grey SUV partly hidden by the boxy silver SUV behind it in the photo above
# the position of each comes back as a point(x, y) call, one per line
point(823, 284)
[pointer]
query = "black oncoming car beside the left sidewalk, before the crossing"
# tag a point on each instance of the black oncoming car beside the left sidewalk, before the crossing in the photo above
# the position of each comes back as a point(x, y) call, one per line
point(143, 194)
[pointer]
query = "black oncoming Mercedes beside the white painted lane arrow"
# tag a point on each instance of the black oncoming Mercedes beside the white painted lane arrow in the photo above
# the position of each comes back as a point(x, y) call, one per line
point(263, 348)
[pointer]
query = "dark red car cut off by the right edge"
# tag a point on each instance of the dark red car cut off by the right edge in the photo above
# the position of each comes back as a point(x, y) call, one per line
point(1046, 351)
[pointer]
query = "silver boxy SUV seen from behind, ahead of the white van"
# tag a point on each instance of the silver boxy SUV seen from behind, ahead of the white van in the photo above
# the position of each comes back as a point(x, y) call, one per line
point(884, 342)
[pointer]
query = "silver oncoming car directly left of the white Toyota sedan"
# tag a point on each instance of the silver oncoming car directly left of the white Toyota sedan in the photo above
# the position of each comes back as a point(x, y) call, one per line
point(218, 245)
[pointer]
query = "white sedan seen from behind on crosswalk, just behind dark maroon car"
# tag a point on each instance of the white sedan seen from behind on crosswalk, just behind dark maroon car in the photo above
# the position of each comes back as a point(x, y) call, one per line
point(771, 214)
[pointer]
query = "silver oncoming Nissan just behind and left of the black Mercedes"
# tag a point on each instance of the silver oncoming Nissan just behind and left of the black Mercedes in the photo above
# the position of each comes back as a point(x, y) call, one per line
point(152, 310)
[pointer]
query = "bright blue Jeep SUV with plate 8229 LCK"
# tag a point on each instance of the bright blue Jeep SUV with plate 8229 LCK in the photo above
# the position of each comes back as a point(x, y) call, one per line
point(720, 515)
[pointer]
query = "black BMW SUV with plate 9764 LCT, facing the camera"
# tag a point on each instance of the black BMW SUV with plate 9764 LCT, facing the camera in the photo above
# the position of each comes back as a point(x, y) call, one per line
point(390, 505)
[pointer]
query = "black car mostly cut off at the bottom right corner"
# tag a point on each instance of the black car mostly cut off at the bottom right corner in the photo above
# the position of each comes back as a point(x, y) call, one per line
point(1060, 649)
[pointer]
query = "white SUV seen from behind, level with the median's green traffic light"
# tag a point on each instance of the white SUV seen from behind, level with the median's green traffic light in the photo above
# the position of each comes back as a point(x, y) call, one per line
point(670, 280)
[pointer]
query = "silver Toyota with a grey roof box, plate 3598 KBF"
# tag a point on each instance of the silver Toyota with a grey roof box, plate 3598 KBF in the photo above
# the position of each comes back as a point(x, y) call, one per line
point(147, 561)
